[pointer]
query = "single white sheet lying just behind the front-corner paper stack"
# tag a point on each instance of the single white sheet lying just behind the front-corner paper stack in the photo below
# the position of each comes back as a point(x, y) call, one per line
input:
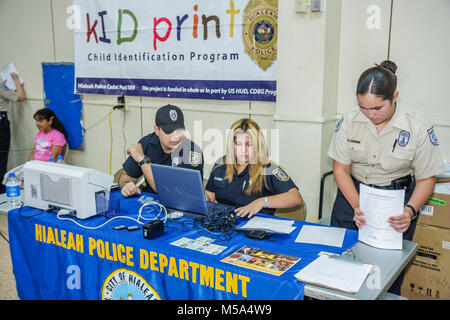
point(328, 236)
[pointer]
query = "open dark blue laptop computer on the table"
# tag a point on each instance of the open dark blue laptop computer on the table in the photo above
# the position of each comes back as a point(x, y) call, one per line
point(181, 189)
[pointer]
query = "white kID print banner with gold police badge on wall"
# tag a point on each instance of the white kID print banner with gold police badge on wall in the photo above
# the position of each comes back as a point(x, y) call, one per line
point(204, 49)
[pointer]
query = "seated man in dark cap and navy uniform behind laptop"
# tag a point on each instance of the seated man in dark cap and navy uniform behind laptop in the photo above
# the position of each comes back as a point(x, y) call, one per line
point(167, 146)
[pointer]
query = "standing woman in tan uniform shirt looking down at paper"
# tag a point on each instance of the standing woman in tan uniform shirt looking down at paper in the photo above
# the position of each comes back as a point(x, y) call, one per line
point(383, 145)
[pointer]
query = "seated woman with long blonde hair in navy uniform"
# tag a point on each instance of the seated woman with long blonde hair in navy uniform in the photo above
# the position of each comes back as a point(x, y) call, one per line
point(246, 178)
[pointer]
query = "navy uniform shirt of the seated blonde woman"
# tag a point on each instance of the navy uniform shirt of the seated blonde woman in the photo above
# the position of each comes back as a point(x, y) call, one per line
point(234, 193)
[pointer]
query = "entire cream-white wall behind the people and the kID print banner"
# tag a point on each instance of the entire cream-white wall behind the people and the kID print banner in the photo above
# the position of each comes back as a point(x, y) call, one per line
point(320, 57)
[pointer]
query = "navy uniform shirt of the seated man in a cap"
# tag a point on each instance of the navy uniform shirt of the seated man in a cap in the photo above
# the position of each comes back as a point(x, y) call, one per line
point(187, 155)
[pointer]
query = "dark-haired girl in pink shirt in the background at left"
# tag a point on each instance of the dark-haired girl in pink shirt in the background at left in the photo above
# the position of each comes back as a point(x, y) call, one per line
point(51, 137)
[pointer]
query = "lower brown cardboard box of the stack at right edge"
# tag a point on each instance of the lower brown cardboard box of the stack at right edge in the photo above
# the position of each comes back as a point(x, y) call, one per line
point(428, 275)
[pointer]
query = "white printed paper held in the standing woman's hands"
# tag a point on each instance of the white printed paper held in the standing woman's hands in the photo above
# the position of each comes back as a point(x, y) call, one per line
point(378, 205)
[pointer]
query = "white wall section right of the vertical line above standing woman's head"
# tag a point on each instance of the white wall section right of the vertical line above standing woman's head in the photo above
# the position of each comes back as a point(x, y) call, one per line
point(420, 45)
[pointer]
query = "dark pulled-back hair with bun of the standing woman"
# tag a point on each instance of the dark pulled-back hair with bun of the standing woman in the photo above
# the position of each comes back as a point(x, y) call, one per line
point(380, 80)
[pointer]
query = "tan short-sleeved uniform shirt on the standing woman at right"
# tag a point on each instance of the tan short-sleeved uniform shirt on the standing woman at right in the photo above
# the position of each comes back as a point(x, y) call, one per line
point(406, 145)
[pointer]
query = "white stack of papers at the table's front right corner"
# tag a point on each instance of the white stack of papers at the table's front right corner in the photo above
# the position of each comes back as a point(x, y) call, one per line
point(334, 273)
